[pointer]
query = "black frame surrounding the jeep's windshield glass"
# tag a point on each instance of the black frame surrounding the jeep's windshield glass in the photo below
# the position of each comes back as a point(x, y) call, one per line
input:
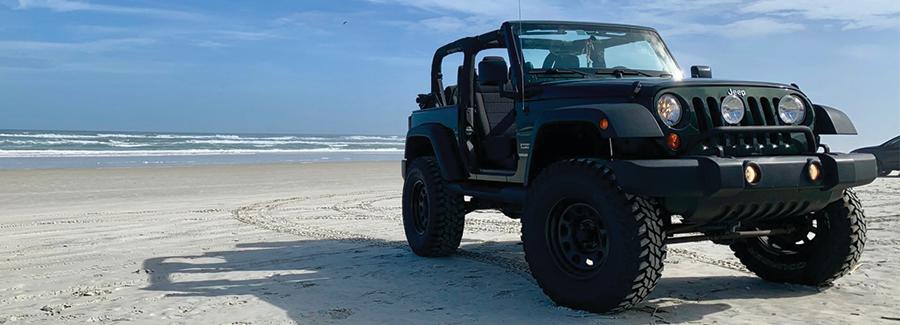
point(515, 27)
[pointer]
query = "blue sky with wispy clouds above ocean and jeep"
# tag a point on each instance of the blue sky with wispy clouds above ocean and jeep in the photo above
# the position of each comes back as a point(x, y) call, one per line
point(356, 66)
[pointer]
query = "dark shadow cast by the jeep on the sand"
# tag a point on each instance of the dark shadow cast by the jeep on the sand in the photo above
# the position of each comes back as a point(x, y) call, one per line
point(371, 281)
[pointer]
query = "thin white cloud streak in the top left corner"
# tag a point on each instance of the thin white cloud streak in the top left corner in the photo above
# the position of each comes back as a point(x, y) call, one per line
point(73, 6)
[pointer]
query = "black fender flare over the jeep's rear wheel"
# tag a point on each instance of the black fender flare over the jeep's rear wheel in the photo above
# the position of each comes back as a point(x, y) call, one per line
point(443, 145)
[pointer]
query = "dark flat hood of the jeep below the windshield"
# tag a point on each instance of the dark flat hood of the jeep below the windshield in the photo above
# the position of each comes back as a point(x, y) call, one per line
point(624, 88)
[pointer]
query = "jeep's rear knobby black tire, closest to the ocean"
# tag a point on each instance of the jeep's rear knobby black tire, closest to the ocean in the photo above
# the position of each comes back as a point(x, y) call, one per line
point(433, 217)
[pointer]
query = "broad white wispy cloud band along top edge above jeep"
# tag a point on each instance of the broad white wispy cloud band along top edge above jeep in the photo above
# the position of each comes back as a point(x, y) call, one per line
point(726, 18)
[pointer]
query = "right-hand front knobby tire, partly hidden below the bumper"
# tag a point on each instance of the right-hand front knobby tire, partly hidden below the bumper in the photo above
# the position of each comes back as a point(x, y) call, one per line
point(834, 250)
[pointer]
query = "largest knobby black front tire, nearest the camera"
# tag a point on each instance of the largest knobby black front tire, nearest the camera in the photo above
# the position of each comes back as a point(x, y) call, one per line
point(633, 250)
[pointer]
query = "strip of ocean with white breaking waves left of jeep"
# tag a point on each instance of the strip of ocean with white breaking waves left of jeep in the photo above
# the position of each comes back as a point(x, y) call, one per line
point(88, 149)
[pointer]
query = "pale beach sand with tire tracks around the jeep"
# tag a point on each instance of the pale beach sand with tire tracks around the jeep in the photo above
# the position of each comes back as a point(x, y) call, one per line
point(323, 243)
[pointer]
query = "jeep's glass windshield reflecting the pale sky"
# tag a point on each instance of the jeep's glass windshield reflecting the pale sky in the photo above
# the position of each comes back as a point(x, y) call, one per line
point(564, 51)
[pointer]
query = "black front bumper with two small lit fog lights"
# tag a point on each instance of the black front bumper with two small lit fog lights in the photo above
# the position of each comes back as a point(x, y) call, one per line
point(714, 189)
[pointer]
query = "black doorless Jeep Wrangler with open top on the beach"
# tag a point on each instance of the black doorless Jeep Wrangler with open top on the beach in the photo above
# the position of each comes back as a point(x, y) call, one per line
point(592, 138)
